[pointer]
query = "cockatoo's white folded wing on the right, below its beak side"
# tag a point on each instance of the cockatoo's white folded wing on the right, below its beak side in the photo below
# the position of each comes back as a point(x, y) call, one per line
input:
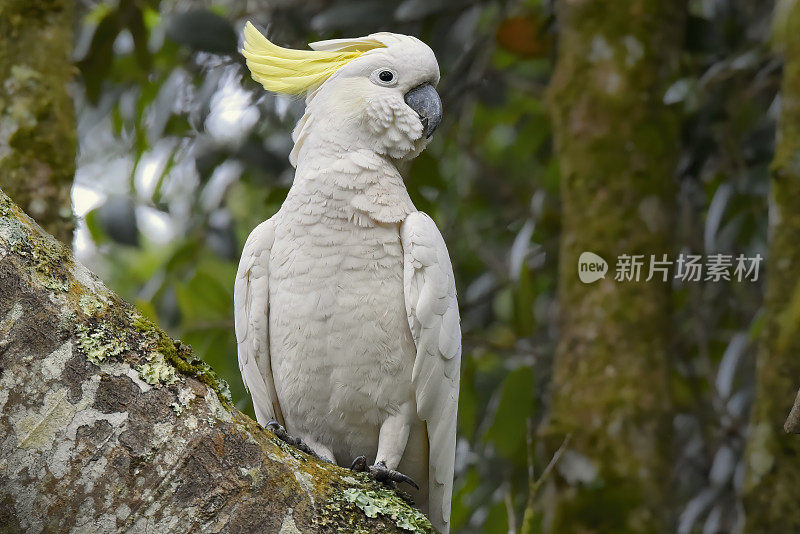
point(430, 296)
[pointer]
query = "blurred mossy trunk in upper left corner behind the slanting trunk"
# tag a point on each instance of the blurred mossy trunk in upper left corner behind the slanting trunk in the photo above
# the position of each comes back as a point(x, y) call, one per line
point(37, 119)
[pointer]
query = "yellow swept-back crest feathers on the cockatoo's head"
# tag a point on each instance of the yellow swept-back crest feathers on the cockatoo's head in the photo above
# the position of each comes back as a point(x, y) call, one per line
point(284, 70)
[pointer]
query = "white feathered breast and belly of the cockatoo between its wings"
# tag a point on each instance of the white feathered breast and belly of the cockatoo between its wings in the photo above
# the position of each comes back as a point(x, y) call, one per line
point(340, 344)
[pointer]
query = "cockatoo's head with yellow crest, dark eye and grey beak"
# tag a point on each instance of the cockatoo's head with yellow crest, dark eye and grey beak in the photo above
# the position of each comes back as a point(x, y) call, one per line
point(375, 92)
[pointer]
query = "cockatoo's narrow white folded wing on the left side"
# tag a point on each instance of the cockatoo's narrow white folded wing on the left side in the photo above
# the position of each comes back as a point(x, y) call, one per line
point(251, 315)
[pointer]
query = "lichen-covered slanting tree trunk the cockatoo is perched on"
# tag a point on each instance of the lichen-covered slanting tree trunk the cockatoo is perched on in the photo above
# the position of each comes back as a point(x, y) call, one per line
point(108, 425)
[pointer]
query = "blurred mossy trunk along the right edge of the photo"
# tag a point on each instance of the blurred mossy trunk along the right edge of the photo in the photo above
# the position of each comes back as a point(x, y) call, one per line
point(773, 457)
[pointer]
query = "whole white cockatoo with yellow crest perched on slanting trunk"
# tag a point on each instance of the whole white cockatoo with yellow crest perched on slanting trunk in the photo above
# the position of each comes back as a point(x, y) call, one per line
point(345, 302)
